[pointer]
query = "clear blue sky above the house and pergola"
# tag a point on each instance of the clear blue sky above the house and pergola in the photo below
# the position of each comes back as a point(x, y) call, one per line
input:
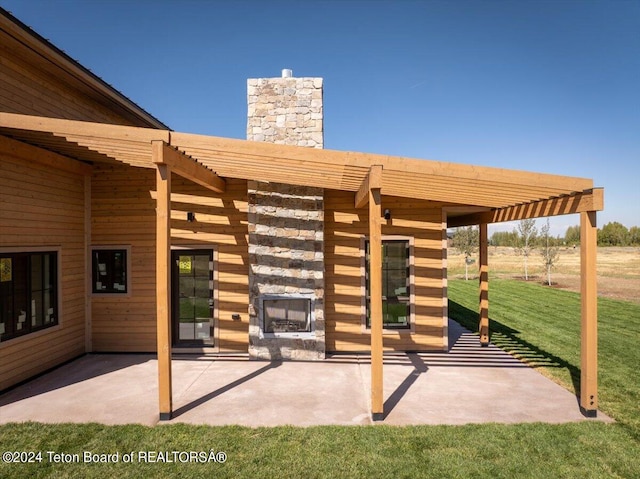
point(549, 86)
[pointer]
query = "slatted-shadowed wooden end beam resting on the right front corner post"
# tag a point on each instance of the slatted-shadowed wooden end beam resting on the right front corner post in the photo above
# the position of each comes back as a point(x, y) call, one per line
point(588, 200)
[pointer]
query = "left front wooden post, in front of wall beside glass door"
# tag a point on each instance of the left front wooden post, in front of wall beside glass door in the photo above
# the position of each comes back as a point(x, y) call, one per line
point(163, 280)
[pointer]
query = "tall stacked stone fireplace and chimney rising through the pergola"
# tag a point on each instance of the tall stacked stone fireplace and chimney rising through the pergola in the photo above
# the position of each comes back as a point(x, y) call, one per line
point(286, 227)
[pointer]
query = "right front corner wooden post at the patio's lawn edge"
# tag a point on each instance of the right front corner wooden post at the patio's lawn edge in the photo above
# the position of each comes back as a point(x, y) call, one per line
point(589, 315)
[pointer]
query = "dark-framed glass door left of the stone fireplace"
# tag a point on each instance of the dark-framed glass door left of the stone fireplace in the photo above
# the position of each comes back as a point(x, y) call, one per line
point(192, 297)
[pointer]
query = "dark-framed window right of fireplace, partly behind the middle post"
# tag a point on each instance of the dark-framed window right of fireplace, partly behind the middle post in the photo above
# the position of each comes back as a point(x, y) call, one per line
point(396, 284)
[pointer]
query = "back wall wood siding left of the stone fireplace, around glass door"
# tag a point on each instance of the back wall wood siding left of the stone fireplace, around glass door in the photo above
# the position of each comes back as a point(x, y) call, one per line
point(123, 213)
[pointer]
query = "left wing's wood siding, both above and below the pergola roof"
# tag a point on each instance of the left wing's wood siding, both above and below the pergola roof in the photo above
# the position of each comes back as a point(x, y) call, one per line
point(40, 204)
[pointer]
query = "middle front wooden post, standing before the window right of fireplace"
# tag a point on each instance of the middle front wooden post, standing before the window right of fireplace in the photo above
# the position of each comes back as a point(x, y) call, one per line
point(375, 289)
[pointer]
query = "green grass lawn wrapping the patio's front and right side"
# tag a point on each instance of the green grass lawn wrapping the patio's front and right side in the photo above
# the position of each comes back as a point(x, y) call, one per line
point(538, 324)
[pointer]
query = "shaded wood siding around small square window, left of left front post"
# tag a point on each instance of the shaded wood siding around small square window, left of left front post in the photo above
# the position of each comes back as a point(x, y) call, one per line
point(125, 217)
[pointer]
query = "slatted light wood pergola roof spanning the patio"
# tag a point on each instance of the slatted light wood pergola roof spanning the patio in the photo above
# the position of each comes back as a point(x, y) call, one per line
point(455, 184)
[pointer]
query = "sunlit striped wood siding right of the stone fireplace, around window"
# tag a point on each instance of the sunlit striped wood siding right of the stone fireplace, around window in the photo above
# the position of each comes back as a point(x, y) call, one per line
point(345, 227)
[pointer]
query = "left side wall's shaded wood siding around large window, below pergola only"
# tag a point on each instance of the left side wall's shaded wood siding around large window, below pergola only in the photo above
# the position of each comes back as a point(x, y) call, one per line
point(41, 206)
